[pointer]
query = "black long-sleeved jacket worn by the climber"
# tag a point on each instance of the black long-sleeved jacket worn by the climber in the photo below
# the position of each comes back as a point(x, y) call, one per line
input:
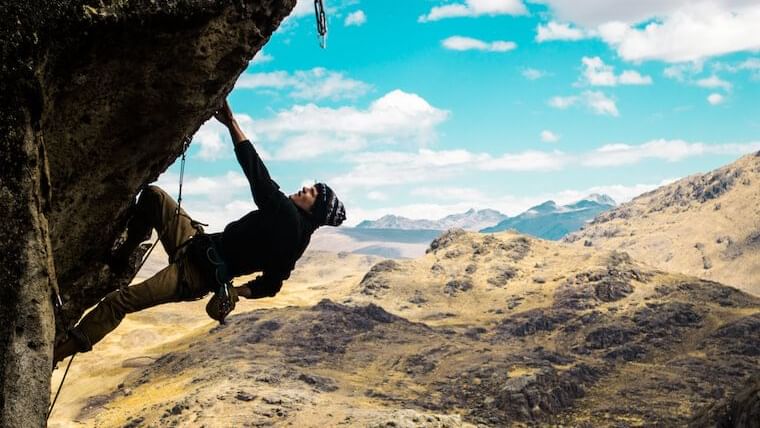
point(268, 240)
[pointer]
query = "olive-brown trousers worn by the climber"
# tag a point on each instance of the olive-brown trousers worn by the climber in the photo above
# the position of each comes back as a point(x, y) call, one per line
point(180, 281)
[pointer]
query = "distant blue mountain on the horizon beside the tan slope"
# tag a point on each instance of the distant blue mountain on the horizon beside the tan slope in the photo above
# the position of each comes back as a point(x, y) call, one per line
point(552, 221)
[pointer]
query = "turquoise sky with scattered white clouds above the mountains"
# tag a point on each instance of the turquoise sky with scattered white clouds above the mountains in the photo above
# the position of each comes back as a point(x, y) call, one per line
point(426, 108)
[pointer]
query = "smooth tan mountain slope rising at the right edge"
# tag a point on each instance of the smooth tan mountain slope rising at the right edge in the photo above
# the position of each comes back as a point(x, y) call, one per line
point(705, 225)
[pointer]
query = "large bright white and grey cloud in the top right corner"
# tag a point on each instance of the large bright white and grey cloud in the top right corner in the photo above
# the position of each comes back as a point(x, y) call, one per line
point(666, 30)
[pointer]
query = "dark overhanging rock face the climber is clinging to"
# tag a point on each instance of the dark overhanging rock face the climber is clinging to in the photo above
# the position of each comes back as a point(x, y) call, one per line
point(97, 100)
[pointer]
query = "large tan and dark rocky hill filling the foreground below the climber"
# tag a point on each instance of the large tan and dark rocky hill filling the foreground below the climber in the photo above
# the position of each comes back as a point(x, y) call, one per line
point(488, 330)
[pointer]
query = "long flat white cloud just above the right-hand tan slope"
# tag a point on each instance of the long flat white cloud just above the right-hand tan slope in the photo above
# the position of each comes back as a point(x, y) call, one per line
point(668, 150)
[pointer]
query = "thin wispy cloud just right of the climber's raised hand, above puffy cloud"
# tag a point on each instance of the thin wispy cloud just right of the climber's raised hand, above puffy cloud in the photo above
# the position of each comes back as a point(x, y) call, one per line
point(315, 84)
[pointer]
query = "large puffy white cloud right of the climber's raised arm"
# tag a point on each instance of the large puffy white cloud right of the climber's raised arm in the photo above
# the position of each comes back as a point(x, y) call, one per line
point(310, 130)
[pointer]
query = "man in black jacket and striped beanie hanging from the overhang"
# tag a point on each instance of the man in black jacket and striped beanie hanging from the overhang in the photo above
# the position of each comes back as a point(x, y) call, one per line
point(267, 240)
